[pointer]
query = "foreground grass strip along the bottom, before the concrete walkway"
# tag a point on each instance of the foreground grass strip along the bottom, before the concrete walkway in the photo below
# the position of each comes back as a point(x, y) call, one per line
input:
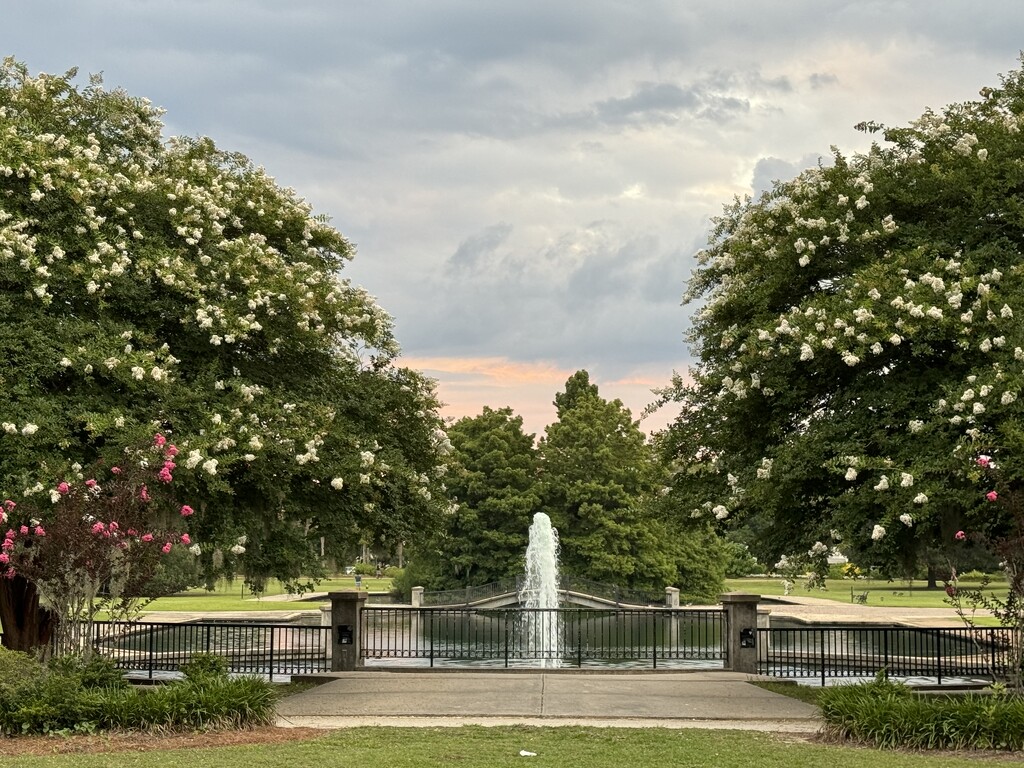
point(477, 747)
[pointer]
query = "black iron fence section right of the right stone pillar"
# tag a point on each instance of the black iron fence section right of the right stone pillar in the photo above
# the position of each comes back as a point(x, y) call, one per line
point(846, 652)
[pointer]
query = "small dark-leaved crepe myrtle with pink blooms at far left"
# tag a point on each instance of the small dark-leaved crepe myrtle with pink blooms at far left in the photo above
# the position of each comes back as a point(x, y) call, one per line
point(94, 539)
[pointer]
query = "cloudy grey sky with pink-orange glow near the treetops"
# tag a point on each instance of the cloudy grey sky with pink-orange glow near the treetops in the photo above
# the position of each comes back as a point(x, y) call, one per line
point(528, 184)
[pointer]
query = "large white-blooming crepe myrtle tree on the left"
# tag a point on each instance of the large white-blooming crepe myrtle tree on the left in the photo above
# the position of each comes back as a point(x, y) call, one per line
point(166, 285)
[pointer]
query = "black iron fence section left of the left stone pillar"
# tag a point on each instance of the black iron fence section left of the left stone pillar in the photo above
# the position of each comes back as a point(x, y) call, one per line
point(252, 649)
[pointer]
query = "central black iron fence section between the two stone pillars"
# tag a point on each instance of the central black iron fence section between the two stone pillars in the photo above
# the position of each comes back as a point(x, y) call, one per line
point(514, 637)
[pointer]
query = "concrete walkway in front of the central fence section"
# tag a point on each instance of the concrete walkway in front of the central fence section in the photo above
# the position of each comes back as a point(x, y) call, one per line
point(687, 700)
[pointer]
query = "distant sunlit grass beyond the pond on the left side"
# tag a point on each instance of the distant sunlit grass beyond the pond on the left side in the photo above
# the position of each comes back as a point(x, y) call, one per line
point(234, 596)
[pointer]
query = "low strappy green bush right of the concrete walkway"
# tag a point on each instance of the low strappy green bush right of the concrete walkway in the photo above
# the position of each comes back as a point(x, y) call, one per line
point(888, 715)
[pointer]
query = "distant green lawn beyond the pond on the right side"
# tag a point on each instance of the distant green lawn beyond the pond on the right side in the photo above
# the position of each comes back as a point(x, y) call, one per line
point(880, 591)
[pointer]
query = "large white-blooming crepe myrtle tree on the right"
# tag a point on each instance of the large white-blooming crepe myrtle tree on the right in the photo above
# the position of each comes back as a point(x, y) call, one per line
point(860, 340)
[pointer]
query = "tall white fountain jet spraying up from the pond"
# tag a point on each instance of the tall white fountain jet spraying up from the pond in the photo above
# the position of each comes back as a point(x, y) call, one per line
point(539, 594)
